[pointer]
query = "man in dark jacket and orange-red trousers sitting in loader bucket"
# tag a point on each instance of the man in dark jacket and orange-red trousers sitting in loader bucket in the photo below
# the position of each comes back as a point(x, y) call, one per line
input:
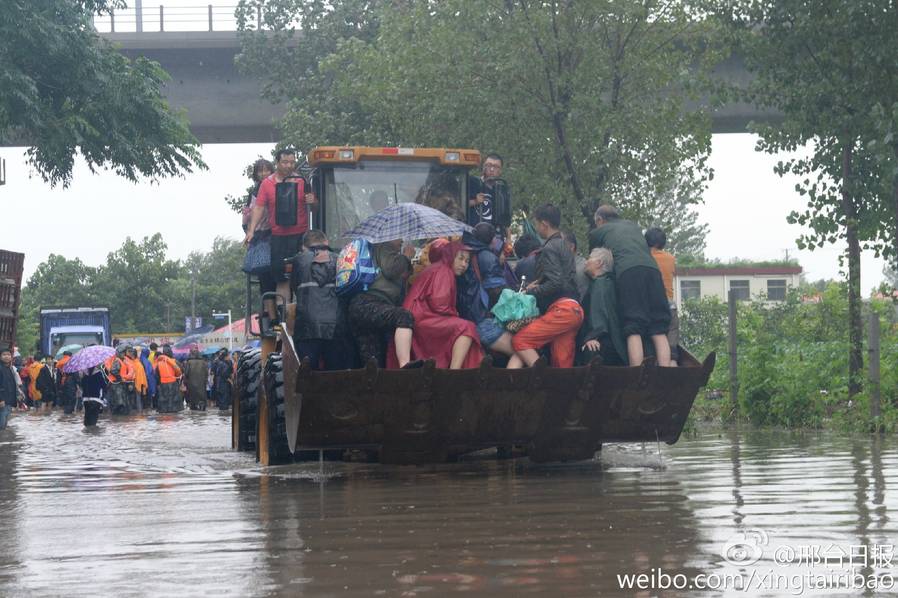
point(556, 294)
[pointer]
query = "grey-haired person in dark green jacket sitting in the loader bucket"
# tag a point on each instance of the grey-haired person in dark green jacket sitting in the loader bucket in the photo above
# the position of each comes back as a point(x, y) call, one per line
point(601, 331)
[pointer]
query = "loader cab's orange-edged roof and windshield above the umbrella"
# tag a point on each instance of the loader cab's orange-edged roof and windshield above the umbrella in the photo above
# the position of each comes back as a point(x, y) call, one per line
point(353, 183)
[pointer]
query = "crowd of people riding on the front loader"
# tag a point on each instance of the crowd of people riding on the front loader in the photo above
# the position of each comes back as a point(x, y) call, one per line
point(435, 303)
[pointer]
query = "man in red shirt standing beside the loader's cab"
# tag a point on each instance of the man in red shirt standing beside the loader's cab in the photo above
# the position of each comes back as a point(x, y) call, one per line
point(285, 195)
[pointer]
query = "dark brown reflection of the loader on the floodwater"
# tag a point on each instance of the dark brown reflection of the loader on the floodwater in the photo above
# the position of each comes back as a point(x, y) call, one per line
point(496, 527)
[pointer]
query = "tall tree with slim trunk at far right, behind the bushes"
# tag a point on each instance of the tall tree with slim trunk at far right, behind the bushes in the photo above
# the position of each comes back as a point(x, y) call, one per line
point(839, 52)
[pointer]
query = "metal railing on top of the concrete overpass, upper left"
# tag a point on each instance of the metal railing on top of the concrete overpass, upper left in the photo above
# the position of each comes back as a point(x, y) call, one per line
point(152, 18)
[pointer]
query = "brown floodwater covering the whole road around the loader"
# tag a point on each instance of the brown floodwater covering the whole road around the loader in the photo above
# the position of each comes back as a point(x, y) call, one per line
point(160, 506)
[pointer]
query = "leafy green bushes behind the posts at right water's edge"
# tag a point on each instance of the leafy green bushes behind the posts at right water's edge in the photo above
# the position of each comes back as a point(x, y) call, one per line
point(793, 360)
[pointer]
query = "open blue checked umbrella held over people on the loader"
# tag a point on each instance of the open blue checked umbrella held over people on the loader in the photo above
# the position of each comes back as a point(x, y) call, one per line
point(408, 221)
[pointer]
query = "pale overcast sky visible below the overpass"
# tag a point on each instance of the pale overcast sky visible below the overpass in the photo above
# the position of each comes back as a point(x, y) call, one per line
point(746, 206)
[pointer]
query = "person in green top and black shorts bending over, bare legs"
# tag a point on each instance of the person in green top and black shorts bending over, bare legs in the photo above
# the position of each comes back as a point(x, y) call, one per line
point(642, 301)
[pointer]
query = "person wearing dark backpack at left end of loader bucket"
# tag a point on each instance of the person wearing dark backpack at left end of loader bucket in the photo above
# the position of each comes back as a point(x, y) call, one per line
point(320, 332)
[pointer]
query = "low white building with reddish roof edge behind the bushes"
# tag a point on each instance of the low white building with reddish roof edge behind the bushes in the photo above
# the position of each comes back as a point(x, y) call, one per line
point(695, 283)
